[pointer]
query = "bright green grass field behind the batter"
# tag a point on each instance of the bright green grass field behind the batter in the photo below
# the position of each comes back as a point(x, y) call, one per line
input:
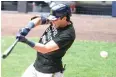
point(82, 59)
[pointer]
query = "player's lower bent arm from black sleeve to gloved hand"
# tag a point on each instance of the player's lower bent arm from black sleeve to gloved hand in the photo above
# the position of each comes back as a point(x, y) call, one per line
point(51, 46)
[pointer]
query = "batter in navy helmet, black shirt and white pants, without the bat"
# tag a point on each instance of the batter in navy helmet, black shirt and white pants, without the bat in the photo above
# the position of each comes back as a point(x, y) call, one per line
point(53, 44)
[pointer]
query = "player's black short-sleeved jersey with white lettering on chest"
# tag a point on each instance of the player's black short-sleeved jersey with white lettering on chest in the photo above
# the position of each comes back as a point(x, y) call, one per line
point(52, 62)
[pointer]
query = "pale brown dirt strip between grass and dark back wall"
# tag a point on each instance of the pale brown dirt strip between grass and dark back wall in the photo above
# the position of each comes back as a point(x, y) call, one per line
point(88, 27)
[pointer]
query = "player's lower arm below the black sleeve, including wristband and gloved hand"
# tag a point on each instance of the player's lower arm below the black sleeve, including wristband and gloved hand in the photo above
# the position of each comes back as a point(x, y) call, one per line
point(49, 47)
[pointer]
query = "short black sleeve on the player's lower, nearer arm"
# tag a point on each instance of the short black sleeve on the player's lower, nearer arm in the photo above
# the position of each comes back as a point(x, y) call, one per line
point(63, 40)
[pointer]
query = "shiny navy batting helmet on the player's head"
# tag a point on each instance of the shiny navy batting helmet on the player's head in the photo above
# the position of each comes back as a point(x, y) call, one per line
point(59, 10)
